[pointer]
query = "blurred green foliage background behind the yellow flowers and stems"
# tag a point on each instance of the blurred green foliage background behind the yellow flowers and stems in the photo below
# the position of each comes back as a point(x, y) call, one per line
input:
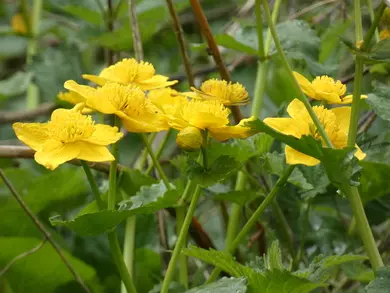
point(73, 38)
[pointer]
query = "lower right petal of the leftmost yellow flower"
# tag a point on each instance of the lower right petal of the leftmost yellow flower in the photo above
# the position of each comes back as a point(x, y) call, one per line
point(92, 152)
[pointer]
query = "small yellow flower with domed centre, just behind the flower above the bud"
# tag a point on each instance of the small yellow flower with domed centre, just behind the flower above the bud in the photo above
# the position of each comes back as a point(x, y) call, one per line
point(227, 93)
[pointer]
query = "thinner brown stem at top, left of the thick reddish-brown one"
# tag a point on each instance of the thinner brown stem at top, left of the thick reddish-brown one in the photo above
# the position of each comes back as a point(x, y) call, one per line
point(180, 39)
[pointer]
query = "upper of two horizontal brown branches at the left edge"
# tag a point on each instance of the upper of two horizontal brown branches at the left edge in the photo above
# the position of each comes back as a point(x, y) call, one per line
point(24, 115)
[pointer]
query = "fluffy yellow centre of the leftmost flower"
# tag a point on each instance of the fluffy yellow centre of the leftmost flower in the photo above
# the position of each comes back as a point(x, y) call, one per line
point(70, 126)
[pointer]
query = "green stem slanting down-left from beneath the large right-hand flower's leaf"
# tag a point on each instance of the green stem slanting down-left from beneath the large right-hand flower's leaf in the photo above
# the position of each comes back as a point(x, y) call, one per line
point(254, 218)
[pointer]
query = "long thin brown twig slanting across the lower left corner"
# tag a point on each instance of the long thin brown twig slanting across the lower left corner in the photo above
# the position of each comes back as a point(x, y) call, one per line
point(41, 227)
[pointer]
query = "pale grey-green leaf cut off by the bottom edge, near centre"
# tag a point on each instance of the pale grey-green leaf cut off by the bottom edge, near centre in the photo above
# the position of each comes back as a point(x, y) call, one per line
point(224, 285)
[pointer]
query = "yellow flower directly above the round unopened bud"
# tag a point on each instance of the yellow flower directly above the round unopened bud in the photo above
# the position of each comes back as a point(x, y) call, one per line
point(211, 116)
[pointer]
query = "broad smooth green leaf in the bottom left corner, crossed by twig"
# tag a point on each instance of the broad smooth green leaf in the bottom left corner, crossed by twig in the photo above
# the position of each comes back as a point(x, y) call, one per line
point(42, 269)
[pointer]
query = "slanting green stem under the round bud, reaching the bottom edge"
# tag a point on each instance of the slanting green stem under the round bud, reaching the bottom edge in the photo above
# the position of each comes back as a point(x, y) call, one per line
point(180, 241)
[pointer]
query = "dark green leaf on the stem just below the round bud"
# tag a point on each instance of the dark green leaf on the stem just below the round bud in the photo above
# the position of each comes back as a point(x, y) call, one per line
point(222, 167)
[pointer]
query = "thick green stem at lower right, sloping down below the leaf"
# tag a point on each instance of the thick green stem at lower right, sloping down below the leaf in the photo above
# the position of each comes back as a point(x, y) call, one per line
point(364, 228)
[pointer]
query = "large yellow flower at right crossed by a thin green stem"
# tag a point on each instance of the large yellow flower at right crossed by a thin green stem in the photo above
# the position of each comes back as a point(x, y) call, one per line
point(335, 122)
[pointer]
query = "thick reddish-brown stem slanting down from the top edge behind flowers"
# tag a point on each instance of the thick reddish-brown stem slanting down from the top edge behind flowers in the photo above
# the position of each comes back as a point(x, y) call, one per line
point(208, 35)
